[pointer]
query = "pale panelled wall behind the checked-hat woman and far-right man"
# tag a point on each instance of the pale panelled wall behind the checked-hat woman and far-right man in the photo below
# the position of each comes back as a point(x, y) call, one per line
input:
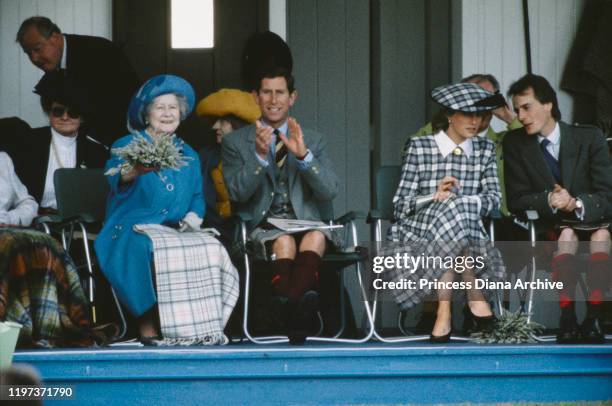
point(494, 42)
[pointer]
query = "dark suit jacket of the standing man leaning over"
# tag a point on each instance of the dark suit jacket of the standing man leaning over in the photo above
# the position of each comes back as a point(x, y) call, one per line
point(100, 69)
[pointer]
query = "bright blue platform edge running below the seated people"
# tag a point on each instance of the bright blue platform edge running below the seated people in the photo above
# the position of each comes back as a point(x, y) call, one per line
point(328, 374)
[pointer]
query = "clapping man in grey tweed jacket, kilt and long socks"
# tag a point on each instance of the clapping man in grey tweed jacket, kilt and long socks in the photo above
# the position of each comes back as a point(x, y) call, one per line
point(276, 169)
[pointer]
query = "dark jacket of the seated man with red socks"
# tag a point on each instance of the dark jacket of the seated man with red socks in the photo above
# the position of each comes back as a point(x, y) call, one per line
point(586, 172)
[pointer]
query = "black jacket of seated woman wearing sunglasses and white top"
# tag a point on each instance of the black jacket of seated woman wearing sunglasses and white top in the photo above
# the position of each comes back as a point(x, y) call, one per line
point(32, 159)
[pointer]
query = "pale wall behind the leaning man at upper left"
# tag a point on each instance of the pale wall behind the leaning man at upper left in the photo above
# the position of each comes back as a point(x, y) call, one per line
point(17, 74)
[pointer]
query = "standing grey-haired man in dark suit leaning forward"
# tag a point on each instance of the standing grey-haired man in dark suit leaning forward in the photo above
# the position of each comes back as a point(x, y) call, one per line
point(96, 65)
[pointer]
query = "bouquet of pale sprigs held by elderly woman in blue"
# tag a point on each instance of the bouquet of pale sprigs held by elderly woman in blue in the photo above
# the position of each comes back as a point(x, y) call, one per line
point(162, 153)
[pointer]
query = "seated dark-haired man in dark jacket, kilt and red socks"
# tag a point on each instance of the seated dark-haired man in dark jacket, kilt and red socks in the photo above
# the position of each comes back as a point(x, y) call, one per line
point(563, 172)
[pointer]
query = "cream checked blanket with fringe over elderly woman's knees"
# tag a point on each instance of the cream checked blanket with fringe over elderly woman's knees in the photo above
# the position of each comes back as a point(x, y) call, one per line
point(197, 285)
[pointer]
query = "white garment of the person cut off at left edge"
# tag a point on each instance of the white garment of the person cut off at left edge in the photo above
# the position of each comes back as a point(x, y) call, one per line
point(17, 207)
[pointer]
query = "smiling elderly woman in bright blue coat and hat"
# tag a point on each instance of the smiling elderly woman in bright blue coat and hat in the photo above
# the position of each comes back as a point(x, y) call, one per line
point(142, 196)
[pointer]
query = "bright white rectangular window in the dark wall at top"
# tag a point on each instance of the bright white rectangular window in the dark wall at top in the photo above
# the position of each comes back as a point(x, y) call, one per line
point(192, 24)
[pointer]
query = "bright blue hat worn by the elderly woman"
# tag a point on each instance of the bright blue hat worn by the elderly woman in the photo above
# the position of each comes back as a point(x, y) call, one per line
point(157, 86)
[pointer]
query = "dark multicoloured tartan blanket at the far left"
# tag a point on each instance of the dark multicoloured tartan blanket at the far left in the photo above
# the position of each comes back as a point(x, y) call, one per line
point(40, 289)
